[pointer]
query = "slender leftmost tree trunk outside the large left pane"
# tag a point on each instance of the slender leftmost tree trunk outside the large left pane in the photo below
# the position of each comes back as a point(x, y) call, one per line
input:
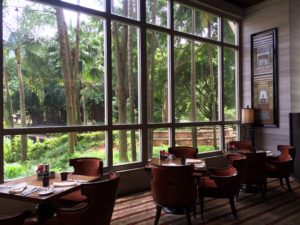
point(22, 105)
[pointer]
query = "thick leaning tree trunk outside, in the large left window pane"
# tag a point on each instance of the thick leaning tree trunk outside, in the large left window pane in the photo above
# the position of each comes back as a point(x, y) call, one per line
point(66, 64)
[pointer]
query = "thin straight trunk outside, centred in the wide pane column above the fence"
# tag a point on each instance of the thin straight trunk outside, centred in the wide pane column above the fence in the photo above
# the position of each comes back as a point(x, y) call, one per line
point(193, 85)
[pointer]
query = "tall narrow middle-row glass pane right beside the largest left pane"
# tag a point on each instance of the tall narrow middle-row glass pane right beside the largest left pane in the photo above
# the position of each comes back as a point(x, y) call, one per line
point(125, 73)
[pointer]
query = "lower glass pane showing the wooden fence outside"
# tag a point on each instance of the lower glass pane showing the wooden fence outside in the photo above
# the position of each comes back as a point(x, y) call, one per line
point(205, 138)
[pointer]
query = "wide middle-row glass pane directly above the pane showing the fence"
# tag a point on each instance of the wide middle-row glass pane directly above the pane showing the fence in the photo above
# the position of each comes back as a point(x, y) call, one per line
point(196, 81)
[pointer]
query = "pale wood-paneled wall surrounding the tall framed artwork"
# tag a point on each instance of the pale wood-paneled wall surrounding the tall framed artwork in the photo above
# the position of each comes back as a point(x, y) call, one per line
point(264, 16)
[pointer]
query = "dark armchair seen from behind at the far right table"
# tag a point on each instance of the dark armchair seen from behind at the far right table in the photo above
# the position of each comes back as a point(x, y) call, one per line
point(252, 170)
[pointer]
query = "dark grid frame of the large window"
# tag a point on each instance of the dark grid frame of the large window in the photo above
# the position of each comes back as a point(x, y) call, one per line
point(143, 125)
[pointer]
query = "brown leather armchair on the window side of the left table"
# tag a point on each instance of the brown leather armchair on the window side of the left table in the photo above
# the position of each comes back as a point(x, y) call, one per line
point(82, 166)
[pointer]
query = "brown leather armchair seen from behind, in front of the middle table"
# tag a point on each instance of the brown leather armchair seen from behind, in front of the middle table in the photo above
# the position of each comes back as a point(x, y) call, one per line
point(173, 190)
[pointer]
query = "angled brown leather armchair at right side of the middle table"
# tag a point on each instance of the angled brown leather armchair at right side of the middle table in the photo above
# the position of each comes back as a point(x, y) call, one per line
point(223, 183)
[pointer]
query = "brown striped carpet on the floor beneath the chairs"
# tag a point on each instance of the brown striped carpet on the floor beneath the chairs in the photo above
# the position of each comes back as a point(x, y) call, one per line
point(281, 208)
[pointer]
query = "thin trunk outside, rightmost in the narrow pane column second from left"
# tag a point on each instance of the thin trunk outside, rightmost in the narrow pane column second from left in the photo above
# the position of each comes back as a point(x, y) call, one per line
point(131, 87)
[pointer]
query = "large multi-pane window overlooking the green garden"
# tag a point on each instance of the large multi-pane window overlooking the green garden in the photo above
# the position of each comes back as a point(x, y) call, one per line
point(110, 82)
